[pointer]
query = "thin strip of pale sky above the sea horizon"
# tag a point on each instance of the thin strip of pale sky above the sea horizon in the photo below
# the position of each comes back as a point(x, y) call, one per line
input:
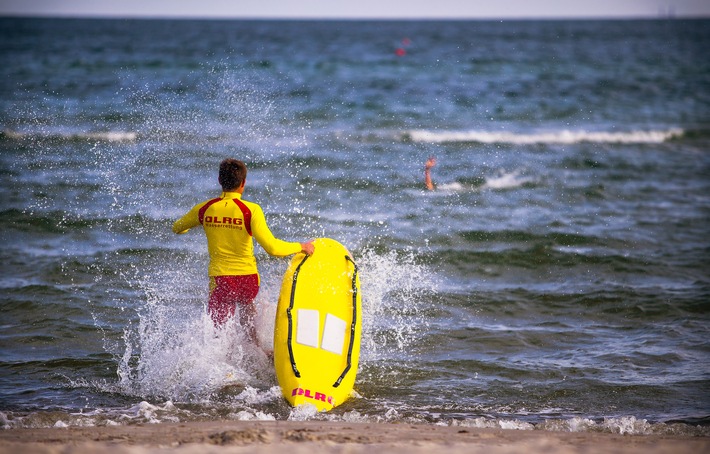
point(359, 9)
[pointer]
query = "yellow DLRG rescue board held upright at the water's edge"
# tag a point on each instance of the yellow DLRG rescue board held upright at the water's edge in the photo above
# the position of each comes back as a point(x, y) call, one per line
point(317, 330)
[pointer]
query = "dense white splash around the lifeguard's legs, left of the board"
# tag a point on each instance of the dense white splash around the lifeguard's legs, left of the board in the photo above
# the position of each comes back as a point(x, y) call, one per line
point(185, 358)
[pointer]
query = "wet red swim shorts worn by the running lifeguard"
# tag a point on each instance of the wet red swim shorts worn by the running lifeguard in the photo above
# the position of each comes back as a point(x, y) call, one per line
point(228, 291)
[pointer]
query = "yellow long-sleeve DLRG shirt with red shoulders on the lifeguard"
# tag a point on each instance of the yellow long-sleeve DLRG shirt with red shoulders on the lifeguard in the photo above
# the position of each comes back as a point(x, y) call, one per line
point(229, 223)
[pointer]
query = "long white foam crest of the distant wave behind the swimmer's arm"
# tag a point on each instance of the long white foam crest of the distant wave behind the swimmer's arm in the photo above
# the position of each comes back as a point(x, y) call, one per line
point(548, 137)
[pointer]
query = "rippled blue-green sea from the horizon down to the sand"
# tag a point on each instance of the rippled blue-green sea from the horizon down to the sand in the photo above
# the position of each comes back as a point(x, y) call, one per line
point(558, 278)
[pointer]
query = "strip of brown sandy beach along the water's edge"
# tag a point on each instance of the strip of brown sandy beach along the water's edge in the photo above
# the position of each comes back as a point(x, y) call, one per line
point(329, 437)
